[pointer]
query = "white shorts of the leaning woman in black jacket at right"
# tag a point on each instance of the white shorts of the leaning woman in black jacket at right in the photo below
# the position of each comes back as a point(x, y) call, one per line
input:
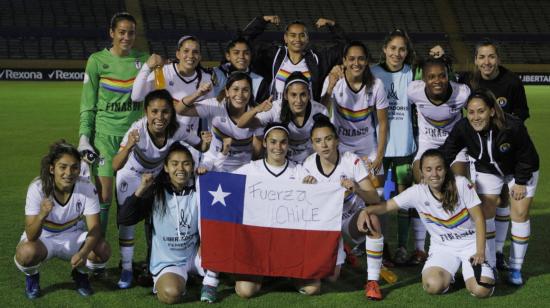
point(491, 184)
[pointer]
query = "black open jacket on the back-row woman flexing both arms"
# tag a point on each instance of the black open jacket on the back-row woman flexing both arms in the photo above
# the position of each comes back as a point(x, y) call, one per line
point(267, 59)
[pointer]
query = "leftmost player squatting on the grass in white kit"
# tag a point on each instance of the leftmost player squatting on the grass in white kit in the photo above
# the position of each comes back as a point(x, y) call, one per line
point(56, 201)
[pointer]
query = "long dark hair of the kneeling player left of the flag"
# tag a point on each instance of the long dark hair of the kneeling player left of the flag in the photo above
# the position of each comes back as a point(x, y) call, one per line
point(162, 181)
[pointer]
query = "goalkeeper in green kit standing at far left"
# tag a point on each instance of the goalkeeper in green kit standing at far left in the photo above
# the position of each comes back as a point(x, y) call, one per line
point(106, 109)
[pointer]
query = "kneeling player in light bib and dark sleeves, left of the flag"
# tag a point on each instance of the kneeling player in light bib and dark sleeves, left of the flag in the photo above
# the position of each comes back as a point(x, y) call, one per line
point(168, 202)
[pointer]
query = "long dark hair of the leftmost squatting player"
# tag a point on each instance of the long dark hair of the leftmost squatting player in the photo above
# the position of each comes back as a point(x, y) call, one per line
point(56, 151)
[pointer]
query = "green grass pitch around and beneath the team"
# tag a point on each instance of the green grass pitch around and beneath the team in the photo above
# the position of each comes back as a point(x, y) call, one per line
point(36, 113)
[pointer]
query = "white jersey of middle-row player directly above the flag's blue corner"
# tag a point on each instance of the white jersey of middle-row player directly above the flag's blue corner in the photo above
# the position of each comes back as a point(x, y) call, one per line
point(223, 126)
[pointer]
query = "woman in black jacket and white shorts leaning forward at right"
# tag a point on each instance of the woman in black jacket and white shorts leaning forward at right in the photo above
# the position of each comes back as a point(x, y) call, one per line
point(504, 155)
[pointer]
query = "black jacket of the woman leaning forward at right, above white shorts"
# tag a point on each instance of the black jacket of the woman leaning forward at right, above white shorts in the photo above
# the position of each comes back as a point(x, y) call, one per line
point(501, 152)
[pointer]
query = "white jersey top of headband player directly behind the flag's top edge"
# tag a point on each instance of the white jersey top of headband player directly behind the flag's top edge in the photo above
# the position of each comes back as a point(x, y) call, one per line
point(260, 168)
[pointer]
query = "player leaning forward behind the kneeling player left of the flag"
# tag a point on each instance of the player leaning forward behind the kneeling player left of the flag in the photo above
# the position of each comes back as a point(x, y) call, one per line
point(142, 150)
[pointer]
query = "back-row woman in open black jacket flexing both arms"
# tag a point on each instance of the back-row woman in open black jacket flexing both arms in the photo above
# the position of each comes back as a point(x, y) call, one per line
point(276, 63)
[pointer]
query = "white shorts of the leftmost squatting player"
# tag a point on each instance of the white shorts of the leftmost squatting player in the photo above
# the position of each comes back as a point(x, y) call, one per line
point(63, 245)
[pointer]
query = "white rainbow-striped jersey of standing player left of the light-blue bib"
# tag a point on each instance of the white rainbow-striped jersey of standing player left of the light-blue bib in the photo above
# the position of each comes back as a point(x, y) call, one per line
point(354, 114)
